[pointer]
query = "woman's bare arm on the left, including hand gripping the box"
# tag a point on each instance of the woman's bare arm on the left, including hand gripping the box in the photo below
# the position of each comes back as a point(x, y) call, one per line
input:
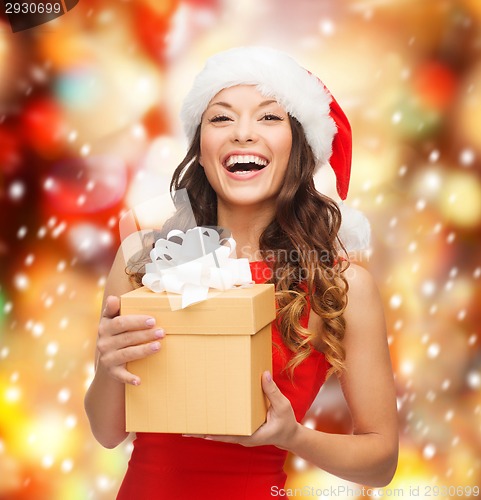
point(120, 339)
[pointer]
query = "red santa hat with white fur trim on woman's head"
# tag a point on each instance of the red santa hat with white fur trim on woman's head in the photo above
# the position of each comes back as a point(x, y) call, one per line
point(299, 92)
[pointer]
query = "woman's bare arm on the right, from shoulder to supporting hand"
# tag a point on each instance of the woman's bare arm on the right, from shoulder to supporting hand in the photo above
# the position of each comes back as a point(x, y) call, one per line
point(369, 455)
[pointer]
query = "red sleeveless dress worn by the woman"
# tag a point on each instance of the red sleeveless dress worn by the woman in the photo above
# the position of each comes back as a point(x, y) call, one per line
point(170, 466)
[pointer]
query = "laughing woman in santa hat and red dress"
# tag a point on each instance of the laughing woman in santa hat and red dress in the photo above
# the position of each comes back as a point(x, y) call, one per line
point(259, 127)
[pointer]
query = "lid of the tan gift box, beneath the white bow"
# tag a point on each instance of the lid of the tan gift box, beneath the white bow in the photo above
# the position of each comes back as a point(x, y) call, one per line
point(238, 311)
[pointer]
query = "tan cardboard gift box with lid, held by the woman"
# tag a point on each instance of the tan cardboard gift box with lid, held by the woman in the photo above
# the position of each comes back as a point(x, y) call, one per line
point(206, 378)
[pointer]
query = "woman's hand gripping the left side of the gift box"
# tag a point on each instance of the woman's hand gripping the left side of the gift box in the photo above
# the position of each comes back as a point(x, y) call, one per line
point(125, 338)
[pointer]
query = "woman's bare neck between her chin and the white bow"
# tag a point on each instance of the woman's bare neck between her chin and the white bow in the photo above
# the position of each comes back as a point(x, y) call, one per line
point(246, 224)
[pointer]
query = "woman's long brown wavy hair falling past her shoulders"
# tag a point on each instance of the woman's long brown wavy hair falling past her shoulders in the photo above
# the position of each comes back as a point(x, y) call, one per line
point(300, 245)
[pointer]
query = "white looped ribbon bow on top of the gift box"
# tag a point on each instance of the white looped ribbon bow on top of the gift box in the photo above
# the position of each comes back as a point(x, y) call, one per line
point(192, 262)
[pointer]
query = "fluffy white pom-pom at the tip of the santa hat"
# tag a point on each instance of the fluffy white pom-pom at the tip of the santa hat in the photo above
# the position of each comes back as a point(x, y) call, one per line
point(355, 231)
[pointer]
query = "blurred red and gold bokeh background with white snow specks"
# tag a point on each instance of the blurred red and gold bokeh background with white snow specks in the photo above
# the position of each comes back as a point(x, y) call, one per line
point(89, 128)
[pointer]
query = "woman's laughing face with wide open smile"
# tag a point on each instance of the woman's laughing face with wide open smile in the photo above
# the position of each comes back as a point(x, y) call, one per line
point(245, 145)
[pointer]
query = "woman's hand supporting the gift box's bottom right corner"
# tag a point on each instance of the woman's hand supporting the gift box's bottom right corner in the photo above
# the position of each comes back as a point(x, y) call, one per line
point(280, 427)
